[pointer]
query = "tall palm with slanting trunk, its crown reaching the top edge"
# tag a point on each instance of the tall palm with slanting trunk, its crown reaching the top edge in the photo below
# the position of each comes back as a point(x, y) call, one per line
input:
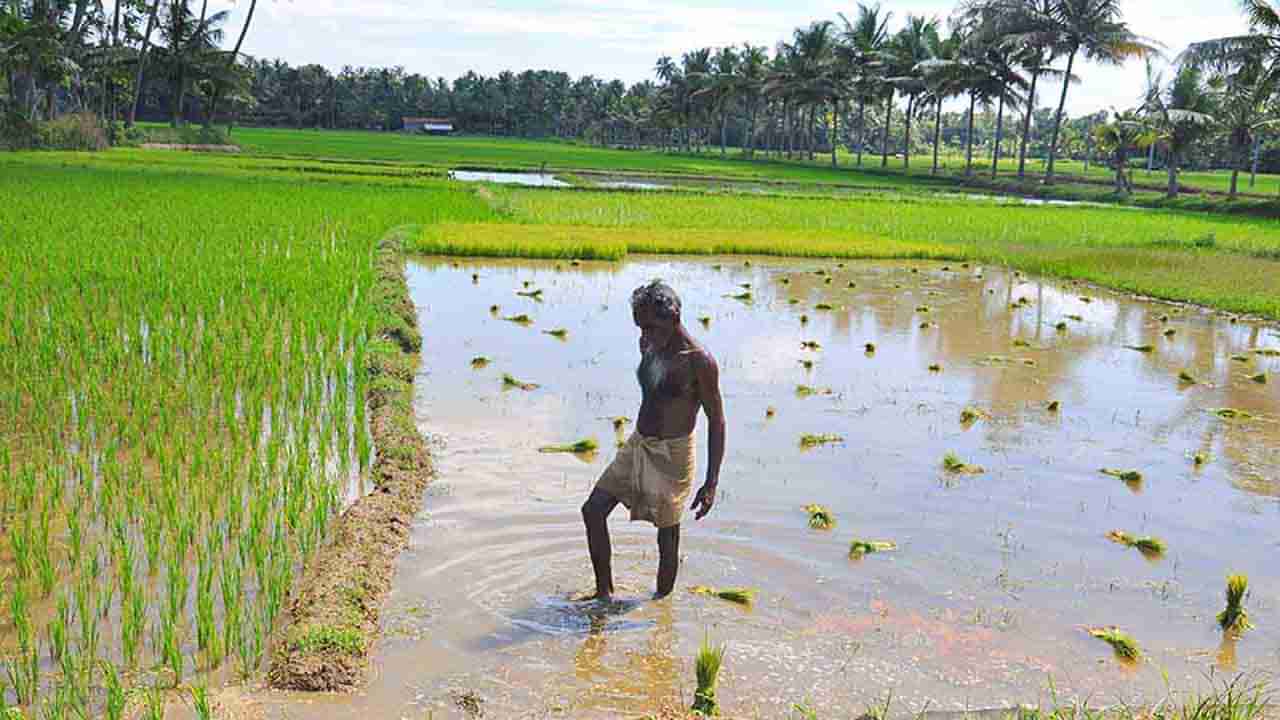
point(1094, 29)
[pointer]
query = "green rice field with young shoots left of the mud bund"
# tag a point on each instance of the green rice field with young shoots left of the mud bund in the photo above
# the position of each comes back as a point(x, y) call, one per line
point(182, 382)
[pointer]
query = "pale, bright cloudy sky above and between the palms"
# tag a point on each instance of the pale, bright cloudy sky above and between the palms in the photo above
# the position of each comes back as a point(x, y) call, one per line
point(623, 39)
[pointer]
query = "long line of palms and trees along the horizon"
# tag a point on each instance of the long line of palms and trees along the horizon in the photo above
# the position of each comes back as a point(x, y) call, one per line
point(865, 83)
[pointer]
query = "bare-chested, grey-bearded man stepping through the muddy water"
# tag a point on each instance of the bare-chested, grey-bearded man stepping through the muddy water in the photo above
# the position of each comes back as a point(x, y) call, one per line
point(655, 471)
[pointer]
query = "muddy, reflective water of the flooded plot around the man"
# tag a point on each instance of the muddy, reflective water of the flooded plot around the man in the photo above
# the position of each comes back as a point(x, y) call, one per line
point(996, 575)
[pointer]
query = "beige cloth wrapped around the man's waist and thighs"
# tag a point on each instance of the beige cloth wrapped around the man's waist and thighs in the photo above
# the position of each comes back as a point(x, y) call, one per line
point(652, 477)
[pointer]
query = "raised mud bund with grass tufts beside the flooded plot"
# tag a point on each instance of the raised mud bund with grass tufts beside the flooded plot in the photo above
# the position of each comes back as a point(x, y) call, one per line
point(336, 604)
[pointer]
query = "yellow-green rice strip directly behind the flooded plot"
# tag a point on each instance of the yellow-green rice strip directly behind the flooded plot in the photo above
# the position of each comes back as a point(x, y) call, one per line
point(1229, 263)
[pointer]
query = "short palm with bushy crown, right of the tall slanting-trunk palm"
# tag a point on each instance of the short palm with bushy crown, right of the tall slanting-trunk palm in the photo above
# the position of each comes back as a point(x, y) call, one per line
point(1181, 115)
